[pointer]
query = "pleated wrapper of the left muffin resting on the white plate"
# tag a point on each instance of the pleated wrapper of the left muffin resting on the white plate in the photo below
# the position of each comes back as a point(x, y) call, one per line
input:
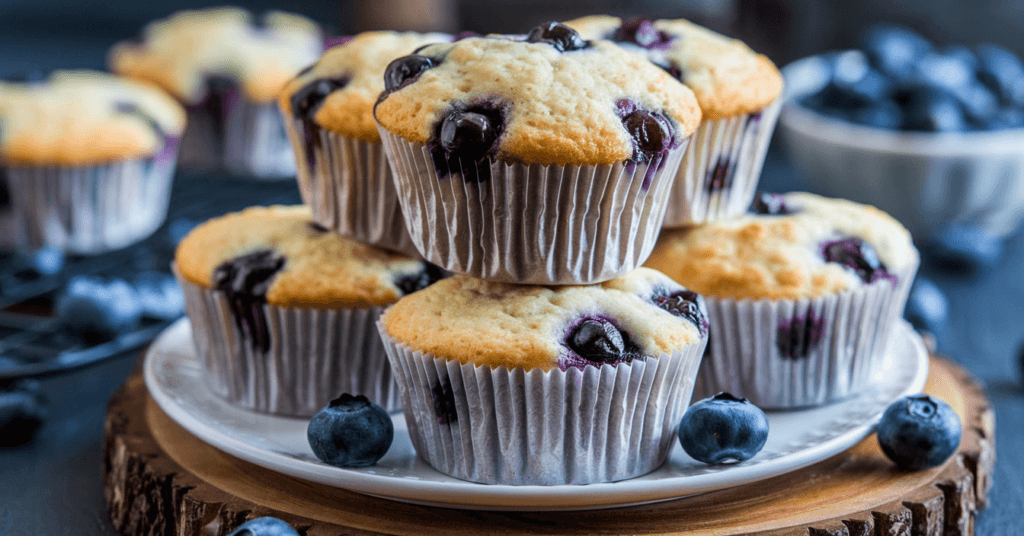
point(315, 356)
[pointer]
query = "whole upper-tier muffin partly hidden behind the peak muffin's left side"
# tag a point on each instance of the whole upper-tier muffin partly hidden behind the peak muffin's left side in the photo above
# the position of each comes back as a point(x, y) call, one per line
point(344, 173)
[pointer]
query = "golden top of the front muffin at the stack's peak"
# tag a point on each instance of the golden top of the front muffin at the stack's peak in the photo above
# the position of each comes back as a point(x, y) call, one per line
point(551, 107)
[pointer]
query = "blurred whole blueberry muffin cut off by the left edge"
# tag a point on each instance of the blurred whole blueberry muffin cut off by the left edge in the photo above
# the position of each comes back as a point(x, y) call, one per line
point(89, 159)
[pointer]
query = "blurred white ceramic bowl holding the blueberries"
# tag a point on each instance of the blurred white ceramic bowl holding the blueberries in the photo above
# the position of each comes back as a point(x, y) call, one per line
point(924, 180)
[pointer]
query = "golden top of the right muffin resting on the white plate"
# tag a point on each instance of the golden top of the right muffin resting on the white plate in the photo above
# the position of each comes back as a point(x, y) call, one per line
point(784, 257)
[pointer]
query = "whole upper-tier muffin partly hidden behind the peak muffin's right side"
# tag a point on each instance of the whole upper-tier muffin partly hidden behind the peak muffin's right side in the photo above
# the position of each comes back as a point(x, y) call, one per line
point(739, 92)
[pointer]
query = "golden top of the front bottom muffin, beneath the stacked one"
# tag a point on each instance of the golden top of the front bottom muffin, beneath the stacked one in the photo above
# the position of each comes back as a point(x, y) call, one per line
point(498, 324)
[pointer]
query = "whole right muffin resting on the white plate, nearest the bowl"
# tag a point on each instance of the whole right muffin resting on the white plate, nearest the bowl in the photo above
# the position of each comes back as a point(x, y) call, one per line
point(802, 296)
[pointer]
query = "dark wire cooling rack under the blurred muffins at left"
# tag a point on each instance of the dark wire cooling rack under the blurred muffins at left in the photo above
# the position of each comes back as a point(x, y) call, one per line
point(33, 342)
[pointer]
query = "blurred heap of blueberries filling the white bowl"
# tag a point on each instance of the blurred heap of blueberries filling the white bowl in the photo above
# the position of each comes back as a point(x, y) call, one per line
point(903, 81)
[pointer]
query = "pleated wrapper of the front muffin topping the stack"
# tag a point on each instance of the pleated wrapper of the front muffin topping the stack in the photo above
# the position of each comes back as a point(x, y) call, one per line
point(533, 224)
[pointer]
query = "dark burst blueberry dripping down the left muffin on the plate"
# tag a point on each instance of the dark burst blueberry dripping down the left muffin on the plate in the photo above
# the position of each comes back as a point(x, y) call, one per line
point(245, 281)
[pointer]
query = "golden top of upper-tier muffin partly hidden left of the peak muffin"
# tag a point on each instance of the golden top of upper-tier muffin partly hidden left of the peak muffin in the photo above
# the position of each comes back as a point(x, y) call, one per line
point(360, 64)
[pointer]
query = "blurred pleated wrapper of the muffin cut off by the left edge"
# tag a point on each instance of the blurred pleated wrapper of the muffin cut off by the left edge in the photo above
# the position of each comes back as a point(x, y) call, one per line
point(90, 210)
